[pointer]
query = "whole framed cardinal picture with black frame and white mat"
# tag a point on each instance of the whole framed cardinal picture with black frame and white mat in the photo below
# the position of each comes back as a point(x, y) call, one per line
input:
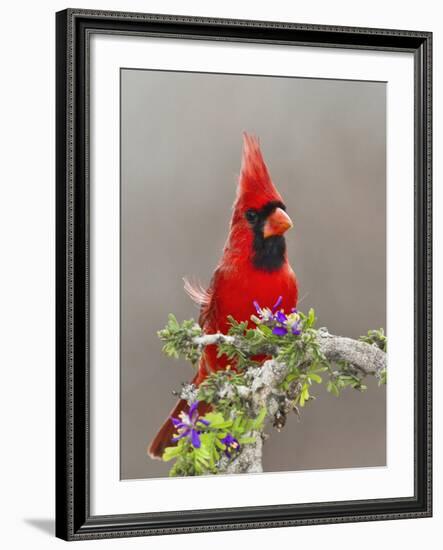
point(243, 274)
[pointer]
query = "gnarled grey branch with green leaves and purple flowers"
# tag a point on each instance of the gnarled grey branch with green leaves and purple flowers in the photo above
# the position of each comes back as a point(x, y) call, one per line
point(230, 438)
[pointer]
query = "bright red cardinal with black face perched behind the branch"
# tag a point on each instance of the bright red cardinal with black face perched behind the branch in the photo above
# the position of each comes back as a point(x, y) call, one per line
point(254, 267)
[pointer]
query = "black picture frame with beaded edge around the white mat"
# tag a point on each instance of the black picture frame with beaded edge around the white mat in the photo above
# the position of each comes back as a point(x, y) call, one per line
point(73, 518)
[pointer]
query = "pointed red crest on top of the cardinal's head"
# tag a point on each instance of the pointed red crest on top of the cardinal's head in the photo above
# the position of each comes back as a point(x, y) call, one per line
point(255, 188)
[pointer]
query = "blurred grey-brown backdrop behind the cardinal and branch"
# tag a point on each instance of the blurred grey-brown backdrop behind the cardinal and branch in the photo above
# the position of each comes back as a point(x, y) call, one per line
point(324, 142)
